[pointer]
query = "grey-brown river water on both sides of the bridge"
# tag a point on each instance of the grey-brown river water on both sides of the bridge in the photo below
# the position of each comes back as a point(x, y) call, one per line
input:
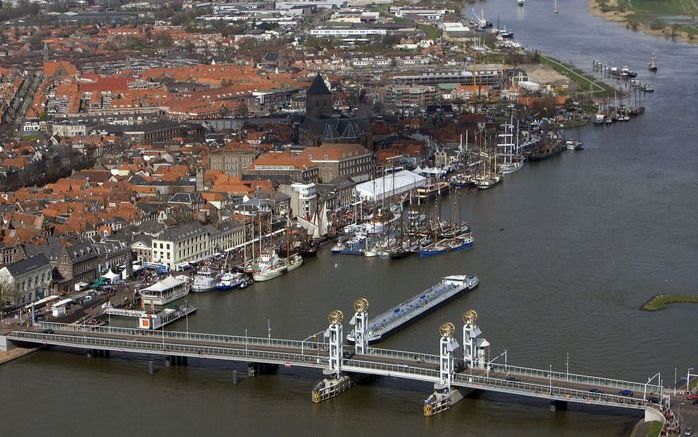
point(567, 251)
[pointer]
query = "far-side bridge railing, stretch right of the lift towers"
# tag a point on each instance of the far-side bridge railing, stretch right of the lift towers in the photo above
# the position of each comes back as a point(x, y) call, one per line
point(575, 378)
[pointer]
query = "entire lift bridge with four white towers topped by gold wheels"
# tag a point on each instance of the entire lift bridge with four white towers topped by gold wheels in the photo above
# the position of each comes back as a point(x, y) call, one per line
point(343, 363)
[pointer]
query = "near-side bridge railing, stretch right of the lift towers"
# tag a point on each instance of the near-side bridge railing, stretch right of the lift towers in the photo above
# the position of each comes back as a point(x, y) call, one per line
point(548, 391)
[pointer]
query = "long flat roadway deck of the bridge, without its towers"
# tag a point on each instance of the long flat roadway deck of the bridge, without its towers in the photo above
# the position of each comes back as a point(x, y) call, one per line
point(409, 365)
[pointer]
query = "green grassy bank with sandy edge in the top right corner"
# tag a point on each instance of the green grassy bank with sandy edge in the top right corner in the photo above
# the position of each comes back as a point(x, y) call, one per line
point(675, 19)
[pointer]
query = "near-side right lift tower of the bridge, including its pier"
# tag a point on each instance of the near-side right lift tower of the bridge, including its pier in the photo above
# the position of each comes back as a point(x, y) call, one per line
point(444, 395)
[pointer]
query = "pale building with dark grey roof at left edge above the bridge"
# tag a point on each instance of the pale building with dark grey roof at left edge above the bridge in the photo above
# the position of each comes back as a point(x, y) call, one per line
point(31, 279)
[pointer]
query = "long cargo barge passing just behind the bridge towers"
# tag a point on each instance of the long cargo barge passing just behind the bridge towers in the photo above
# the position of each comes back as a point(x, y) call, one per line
point(385, 323)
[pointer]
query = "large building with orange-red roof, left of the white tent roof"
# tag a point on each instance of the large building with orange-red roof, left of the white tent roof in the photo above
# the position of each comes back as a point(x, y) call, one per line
point(339, 159)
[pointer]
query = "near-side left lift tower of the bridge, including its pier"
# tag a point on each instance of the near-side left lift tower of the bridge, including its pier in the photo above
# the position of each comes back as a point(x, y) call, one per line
point(335, 382)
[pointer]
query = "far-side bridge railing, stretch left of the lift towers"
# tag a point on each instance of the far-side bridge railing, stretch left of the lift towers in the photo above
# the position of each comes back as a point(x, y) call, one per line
point(185, 336)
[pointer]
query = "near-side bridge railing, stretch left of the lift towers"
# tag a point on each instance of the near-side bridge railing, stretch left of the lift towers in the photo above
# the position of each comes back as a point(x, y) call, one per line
point(167, 348)
